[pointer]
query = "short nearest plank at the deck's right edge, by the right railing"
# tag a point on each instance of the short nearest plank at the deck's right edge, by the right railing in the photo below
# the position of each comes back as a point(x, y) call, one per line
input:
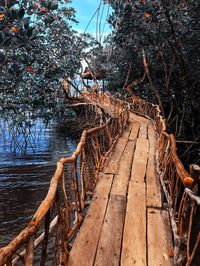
point(159, 239)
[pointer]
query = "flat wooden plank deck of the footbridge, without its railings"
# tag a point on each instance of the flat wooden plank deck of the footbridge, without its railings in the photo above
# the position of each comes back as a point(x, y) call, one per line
point(125, 223)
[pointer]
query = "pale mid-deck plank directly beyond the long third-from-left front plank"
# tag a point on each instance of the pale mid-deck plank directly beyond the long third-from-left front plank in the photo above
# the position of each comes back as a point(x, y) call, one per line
point(138, 172)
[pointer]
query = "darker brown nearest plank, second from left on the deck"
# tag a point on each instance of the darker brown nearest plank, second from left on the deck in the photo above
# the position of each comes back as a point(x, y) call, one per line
point(109, 248)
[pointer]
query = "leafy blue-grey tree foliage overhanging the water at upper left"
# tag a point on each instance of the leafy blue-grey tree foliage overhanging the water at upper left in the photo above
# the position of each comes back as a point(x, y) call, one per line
point(38, 50)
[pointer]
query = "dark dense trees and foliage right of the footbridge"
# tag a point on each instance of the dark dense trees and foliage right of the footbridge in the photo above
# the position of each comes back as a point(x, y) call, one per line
point(153, 52)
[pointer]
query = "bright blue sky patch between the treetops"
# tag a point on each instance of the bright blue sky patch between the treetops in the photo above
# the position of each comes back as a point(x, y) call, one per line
point(85, 9)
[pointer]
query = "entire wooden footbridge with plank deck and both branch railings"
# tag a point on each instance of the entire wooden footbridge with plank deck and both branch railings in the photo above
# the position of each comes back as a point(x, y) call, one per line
point(122, 198)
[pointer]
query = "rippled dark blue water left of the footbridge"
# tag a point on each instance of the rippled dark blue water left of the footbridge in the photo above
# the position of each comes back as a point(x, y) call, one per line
point(25, 176)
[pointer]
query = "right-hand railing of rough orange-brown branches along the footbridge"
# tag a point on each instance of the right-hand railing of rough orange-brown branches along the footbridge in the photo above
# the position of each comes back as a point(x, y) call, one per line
point(175, 181)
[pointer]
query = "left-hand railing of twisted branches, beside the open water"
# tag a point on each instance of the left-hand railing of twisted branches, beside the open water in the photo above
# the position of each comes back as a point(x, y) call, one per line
point(59, 216)
